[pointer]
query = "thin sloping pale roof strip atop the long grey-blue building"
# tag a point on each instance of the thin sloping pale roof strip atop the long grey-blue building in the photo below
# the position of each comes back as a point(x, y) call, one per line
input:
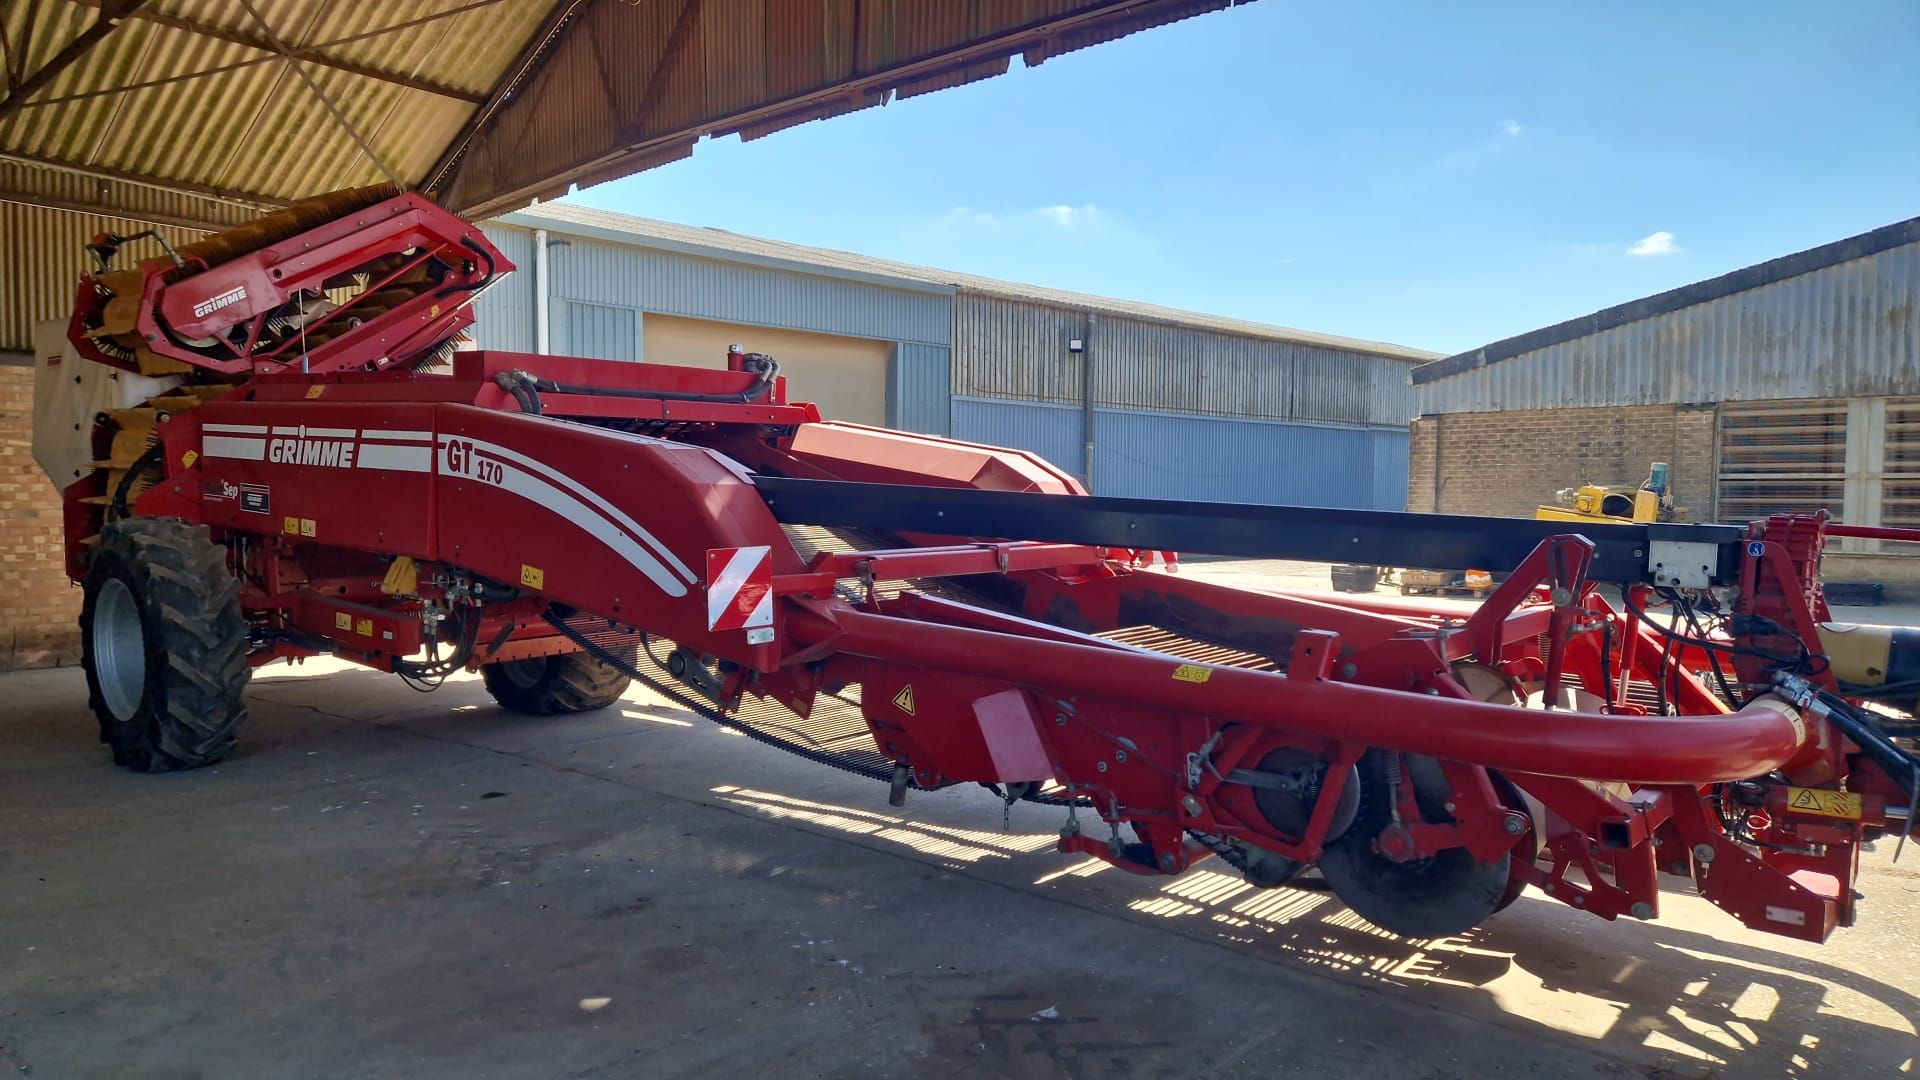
point(736, 247)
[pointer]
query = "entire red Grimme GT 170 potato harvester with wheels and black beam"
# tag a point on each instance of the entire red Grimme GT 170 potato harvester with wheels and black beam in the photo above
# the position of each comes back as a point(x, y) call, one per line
point(295, 458)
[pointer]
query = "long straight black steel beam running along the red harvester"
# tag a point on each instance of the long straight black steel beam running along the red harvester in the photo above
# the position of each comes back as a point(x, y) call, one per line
point(1383, 539)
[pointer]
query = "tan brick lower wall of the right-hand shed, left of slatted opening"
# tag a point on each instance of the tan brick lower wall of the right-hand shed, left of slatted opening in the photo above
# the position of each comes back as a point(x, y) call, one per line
point(1508, 464)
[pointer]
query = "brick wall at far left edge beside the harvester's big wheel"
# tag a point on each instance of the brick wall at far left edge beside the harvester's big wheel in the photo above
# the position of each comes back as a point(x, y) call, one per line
point(39, 610)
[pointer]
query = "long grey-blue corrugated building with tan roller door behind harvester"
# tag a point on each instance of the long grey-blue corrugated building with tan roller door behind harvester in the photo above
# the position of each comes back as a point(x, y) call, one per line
point(1172, 405)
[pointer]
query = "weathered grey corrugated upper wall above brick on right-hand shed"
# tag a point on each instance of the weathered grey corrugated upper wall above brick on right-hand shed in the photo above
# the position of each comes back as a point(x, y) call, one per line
point(1844, 331)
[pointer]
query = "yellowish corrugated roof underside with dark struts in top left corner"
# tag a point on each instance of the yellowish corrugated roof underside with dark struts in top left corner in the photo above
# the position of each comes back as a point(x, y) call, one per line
point(197, 91)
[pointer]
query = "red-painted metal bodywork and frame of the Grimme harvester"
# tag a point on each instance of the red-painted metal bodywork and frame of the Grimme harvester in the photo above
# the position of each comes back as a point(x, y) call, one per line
point(612, 501)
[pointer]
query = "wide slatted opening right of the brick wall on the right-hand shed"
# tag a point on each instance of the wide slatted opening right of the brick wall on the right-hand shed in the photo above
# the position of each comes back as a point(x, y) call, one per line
point(1783, 458)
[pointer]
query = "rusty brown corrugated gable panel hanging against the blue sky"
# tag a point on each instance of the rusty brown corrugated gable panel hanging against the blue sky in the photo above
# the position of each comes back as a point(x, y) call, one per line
point(675, 70)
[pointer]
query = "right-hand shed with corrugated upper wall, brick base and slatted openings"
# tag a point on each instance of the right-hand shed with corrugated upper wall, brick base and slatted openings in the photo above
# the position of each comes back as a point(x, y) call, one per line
point(1790, 385)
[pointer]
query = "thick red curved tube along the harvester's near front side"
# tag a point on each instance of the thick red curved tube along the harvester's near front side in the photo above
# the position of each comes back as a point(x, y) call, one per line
point(1643, 750)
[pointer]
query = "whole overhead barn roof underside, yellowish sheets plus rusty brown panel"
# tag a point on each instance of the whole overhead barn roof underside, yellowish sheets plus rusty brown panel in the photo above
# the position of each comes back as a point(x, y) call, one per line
point(206, 112)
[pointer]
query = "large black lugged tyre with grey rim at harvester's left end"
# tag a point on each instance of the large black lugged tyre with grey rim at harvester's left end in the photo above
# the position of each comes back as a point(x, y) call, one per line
point(164, 645)
